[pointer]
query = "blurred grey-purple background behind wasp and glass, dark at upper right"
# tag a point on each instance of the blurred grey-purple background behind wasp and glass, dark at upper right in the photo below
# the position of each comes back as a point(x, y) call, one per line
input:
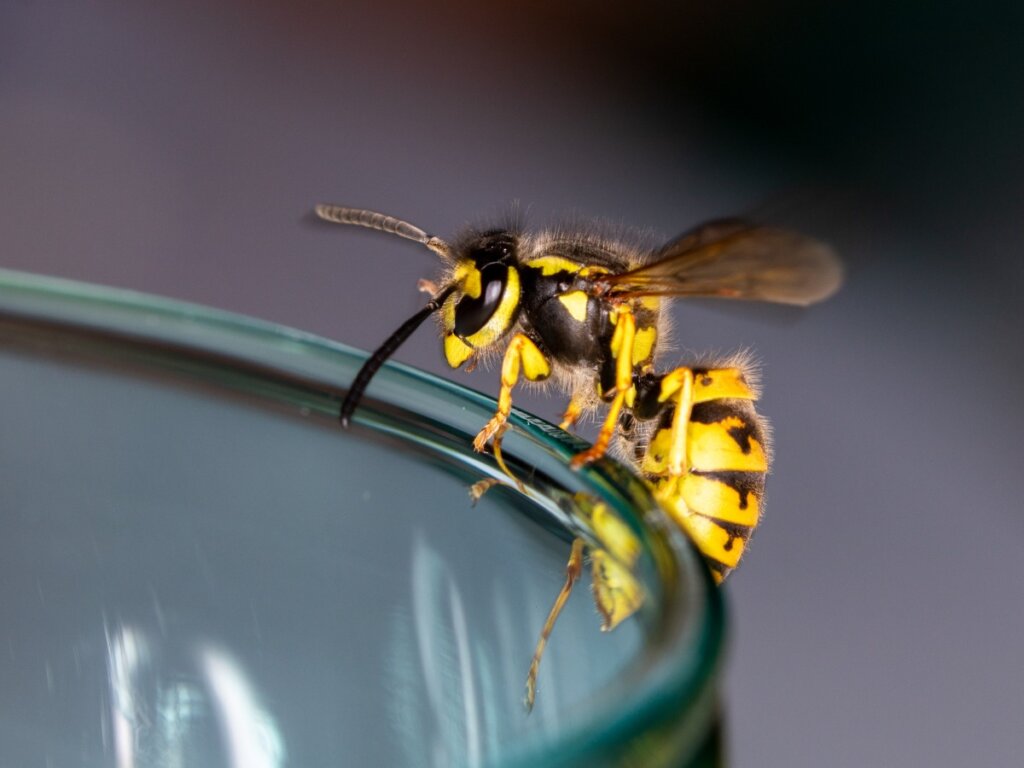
point(176, 148)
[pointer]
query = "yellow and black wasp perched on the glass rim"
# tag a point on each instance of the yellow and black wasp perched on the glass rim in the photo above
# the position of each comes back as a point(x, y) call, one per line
point(587, 314)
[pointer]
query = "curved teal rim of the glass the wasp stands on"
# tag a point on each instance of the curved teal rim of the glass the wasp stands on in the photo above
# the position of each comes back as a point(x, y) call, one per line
point(673, 707)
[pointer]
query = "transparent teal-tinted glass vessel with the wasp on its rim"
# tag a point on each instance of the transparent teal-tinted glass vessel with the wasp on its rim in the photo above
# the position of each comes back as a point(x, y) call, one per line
point(199, 567)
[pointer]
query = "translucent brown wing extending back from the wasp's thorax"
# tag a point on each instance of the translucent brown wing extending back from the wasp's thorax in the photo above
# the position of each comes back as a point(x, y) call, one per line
point(736, 260)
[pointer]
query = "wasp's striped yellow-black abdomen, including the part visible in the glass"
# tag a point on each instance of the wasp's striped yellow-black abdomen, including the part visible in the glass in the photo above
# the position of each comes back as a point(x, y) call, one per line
point(705, 454)
